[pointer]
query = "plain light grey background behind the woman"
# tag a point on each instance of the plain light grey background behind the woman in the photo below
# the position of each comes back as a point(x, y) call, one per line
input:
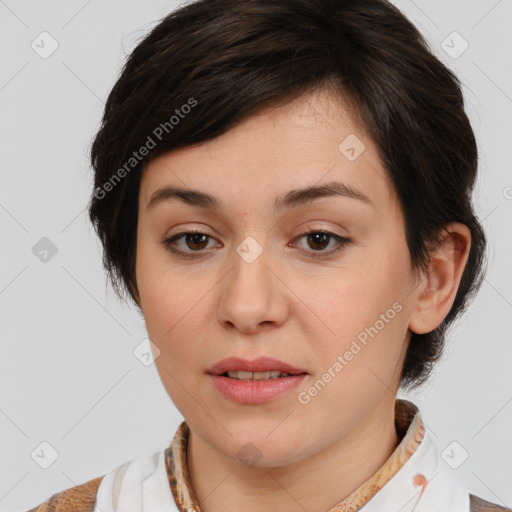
point(68, 375)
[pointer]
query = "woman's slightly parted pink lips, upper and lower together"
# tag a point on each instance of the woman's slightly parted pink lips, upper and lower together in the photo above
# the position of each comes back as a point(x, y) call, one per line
point(254, 391)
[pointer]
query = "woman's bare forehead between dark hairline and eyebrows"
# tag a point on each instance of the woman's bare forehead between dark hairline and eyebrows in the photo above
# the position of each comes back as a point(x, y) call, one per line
point(309, 141)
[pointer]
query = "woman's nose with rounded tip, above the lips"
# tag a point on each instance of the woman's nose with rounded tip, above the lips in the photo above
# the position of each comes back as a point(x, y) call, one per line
point(252, 296)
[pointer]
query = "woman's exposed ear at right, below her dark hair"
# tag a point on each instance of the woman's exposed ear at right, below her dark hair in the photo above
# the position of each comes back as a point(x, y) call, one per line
point(437, 290)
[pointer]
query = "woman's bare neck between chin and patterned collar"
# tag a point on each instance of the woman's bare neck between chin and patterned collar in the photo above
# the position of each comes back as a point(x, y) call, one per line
point(315, 484)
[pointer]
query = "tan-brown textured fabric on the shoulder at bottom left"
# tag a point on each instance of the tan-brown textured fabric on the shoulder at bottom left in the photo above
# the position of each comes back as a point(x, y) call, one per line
point(81, 498)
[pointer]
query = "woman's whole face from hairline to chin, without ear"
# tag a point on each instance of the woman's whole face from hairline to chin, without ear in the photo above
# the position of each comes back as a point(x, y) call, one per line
point(320, 281)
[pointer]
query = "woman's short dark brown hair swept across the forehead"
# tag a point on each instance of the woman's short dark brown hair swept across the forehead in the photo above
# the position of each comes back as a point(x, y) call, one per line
point(228, 59)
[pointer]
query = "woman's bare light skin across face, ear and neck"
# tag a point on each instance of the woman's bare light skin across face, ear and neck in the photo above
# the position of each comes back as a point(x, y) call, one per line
point(286, 304)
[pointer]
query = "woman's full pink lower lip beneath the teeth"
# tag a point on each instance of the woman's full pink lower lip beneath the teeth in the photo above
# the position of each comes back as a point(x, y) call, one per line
point(255, 391)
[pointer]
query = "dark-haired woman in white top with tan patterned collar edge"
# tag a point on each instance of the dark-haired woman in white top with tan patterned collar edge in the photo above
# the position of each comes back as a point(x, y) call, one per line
point(284, 190)
